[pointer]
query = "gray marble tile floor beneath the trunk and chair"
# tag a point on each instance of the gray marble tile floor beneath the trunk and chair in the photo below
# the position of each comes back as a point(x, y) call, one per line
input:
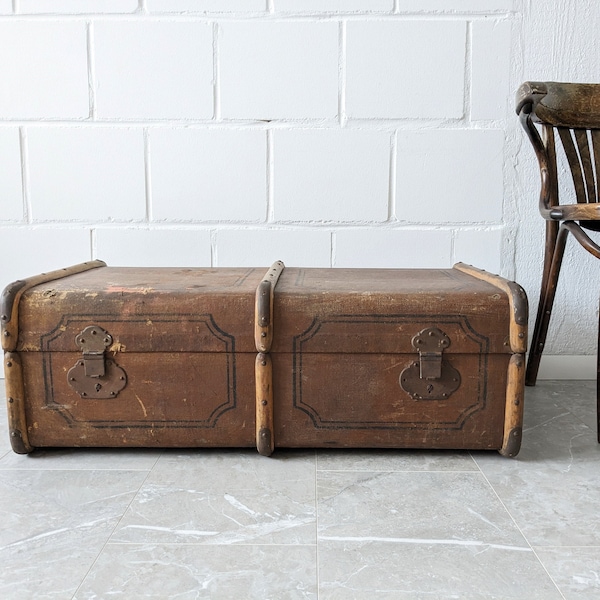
point(228, 524)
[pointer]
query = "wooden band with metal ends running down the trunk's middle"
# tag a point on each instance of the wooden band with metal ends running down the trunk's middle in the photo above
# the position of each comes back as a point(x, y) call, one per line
point(263, 339)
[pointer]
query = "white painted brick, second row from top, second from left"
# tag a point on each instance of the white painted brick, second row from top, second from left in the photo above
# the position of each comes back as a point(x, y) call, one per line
point(155, 70)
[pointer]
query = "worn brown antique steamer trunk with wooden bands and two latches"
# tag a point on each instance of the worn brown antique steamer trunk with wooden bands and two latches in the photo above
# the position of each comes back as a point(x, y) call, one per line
point(156, 357)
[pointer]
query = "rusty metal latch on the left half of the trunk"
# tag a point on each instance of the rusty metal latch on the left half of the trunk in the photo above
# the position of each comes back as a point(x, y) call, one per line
point(95, 375)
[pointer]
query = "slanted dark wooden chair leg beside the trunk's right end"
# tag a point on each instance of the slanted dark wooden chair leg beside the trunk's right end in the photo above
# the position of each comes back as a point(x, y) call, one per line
point(556, 239)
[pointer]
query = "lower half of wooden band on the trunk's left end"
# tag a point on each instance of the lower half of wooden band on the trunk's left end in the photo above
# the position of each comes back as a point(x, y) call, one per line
point(15, 399)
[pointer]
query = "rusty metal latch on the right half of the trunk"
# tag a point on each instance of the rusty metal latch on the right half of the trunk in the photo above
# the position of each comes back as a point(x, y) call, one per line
point(431, 378)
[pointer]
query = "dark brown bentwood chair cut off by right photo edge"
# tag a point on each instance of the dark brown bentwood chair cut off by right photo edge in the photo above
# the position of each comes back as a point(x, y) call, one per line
point(571, 113)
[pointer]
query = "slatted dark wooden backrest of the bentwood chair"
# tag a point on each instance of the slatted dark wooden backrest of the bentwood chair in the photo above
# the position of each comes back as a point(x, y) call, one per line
point(571, 112)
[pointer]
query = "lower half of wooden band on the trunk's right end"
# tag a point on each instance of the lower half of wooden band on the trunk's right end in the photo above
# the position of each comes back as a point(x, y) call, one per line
point(513, 412)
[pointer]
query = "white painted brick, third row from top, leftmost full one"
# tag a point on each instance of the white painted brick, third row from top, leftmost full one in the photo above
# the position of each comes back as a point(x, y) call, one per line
point(85, 174)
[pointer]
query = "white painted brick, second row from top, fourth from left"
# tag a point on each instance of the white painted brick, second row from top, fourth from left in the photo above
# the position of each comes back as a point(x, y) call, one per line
point(405, 69)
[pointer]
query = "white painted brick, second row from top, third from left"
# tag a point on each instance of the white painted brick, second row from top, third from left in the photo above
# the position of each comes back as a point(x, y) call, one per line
point(278, 70)
